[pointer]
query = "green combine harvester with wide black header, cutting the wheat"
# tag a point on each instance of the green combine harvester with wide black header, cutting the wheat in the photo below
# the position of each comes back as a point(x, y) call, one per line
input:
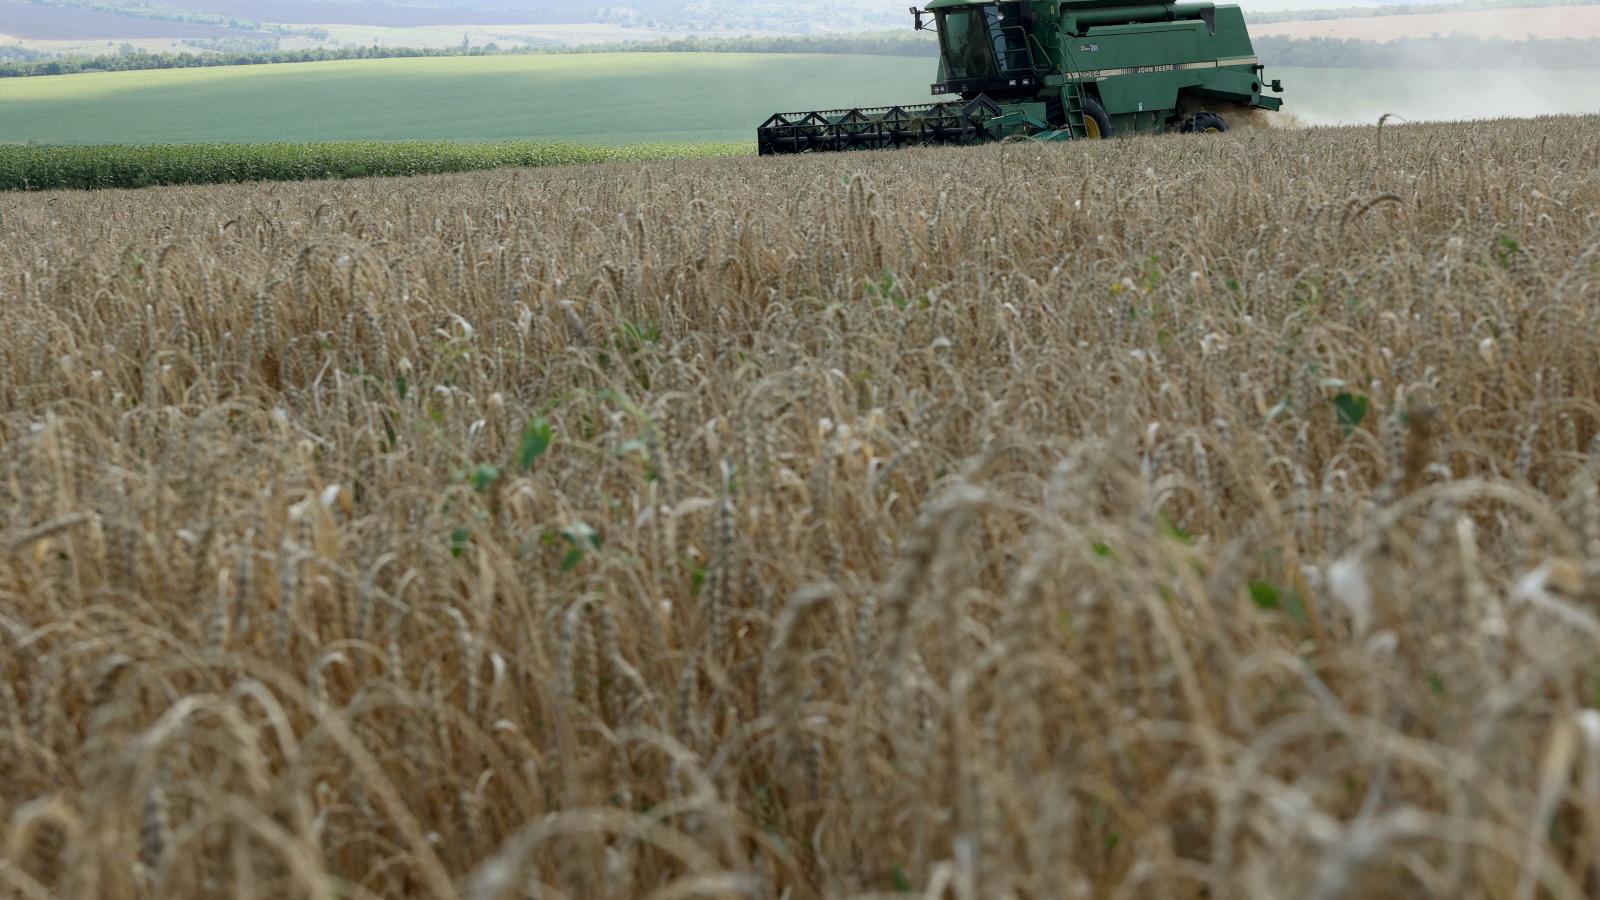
point(1055, 71)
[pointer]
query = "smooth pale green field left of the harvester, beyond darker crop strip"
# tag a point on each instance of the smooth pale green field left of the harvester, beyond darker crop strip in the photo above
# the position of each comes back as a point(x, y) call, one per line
point(618, 98)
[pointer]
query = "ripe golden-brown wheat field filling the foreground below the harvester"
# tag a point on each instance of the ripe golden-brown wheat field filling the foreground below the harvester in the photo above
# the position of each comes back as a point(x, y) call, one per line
point(1161, 518)
